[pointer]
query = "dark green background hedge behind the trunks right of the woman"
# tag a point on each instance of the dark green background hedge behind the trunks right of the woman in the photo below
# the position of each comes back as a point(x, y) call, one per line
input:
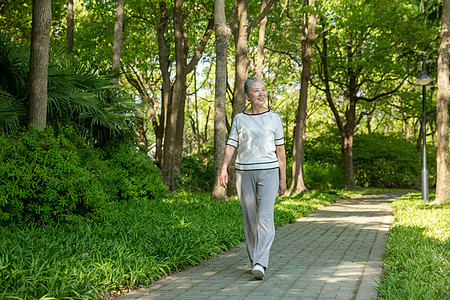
point(378, 161)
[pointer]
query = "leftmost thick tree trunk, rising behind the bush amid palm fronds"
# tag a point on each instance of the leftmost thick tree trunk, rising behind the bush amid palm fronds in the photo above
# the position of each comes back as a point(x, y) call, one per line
point(39, 56)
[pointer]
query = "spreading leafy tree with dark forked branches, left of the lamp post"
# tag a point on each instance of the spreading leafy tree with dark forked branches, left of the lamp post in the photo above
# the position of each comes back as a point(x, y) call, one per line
point(363, 65)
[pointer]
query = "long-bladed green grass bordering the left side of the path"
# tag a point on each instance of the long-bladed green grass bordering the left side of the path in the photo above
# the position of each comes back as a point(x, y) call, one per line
point(133, 244)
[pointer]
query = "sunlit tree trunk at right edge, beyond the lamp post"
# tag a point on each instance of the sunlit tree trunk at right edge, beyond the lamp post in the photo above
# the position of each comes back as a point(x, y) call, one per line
point(443, 160)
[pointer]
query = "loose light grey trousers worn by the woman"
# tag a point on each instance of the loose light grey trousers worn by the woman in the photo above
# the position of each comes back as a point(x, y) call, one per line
point(257, 191)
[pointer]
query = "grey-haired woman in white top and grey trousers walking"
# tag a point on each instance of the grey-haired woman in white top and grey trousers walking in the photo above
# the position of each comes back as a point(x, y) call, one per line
point(257, 135)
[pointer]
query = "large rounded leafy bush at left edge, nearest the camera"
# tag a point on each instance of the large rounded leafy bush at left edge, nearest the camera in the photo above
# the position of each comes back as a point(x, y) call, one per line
point(42, 179)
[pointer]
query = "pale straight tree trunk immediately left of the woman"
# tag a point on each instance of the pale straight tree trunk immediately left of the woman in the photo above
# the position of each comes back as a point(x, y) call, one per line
point(223, 34)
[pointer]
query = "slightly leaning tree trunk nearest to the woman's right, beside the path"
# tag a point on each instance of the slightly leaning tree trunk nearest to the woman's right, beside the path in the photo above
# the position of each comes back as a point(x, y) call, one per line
point(308, 38)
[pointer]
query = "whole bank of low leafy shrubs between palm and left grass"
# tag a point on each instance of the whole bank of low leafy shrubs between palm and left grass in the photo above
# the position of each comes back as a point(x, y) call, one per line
point(47, 178)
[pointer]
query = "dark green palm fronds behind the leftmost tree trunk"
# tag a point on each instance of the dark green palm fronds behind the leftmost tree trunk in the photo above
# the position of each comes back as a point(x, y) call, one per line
point(79, 95)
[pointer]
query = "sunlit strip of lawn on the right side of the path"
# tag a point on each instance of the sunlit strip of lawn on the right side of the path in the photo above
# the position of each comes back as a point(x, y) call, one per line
point(417, 258)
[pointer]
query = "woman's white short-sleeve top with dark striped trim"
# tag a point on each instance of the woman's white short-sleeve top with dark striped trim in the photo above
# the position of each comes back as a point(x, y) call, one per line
point(255, 137)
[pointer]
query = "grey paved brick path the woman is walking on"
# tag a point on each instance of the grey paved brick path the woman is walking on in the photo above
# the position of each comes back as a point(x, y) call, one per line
point(334, 253)
